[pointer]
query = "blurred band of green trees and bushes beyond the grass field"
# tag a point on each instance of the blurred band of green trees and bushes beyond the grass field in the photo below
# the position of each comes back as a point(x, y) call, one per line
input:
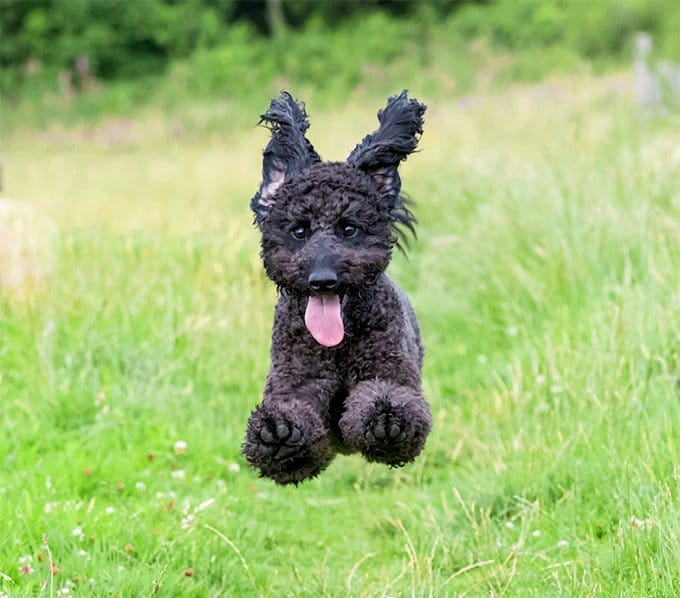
point(69, 60)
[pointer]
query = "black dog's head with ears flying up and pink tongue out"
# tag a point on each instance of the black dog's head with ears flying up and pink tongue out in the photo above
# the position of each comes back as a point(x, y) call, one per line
point(328, 228)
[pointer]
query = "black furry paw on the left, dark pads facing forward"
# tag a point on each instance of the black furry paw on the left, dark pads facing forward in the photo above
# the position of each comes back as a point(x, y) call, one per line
point(287, 443)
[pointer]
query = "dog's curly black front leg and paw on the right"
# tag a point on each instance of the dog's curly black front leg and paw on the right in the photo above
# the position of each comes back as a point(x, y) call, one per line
point(386, 421)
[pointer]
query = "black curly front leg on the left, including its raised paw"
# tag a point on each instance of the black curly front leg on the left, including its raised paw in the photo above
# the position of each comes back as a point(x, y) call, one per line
point(288, 433)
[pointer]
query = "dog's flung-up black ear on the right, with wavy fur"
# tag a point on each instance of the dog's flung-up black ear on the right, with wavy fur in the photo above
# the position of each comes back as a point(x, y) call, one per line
point(379, 154)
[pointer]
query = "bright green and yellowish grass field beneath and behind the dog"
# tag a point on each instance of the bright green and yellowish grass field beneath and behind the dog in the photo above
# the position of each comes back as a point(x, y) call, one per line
point(546, 276)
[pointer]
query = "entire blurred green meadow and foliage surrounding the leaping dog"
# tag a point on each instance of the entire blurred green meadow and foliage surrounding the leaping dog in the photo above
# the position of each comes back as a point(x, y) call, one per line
point(135, 315)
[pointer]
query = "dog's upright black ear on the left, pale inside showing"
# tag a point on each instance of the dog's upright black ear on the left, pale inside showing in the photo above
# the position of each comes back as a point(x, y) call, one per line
point(287, 153)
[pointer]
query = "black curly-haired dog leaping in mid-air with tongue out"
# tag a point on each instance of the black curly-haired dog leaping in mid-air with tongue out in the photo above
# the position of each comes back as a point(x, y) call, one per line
point(346, 353)
